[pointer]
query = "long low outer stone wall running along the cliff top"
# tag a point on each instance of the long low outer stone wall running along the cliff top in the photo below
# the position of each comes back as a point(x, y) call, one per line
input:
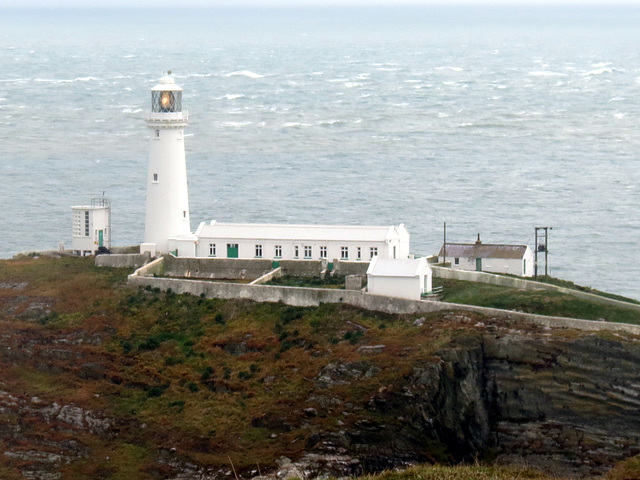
point(310, 297)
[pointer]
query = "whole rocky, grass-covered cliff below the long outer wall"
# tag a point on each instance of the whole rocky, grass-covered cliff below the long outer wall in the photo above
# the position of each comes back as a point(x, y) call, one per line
point(99, 381)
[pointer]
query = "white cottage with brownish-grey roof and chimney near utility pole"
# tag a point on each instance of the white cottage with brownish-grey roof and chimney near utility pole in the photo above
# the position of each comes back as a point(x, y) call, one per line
point(481, 257)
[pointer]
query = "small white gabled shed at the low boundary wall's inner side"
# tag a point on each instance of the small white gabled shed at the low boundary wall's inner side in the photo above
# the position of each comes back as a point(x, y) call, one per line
point(402, 278)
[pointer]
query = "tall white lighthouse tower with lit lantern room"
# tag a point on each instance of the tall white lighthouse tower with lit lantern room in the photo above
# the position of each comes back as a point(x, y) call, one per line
point(167, 217)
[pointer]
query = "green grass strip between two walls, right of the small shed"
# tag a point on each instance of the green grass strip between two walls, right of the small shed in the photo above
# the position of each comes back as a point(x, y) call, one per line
point(540, 302)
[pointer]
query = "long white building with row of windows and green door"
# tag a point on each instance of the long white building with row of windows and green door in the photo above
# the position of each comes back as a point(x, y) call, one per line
point(304, 242)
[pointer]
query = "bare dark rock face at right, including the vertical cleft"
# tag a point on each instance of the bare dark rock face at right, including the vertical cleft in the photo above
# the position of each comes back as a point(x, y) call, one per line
point(566, 406)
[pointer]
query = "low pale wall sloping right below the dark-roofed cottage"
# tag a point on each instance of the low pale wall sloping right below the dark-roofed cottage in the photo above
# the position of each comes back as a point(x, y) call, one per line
point(500, 280)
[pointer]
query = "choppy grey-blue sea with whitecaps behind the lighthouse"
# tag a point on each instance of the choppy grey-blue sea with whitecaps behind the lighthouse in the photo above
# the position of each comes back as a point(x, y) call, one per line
point(495, 120)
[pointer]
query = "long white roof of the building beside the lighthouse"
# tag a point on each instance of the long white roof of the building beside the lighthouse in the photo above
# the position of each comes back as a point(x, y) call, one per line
point(267, 231)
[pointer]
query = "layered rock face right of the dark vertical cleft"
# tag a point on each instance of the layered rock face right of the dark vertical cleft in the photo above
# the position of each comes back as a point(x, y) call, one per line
point(570, 406)
